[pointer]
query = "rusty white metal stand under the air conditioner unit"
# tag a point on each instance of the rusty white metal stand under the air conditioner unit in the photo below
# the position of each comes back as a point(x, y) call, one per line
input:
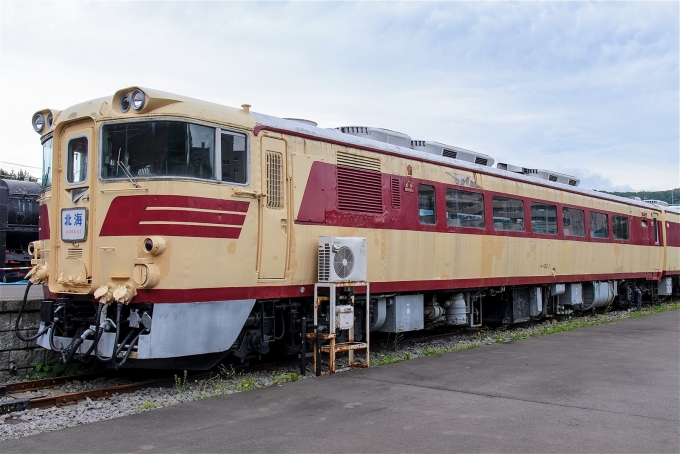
point(333, 348)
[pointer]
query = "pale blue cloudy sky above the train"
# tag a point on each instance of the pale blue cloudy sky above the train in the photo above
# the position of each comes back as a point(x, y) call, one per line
point(587, 89)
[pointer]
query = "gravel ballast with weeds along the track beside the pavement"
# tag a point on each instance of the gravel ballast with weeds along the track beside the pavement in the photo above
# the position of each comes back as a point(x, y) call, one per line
point(30, 422)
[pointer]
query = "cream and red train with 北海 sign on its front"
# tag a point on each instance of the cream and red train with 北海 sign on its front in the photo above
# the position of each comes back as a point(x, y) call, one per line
point(177, 232)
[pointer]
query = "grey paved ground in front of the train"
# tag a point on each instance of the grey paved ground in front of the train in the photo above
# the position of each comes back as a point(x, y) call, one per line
point(608, 388)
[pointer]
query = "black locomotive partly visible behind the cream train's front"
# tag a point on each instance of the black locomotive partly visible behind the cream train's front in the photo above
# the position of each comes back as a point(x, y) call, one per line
point(18, 226)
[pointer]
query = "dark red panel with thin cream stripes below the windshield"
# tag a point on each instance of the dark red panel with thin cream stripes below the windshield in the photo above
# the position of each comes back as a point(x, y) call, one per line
point(127, 216)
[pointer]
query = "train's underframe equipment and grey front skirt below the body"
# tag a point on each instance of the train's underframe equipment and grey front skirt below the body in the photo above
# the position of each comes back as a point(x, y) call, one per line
point(145, 335)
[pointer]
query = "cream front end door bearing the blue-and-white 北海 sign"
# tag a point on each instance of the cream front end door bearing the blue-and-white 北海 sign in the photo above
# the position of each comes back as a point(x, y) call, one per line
point(73, 188)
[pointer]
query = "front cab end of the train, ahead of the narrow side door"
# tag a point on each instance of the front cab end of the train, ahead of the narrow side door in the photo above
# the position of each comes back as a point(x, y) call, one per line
point(145, 244)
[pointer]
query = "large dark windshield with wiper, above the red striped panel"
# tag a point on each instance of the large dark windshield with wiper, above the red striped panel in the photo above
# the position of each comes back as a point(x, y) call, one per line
point(158, 149)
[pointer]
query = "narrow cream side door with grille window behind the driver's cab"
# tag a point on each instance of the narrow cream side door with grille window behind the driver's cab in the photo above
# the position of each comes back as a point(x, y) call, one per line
point(273, 215)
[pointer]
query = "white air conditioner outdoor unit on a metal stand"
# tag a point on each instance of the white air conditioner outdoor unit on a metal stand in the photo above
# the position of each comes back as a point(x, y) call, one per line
point(342, 259)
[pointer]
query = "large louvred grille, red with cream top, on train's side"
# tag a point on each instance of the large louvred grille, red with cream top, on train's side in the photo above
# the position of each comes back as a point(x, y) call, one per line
point(359, 184)
